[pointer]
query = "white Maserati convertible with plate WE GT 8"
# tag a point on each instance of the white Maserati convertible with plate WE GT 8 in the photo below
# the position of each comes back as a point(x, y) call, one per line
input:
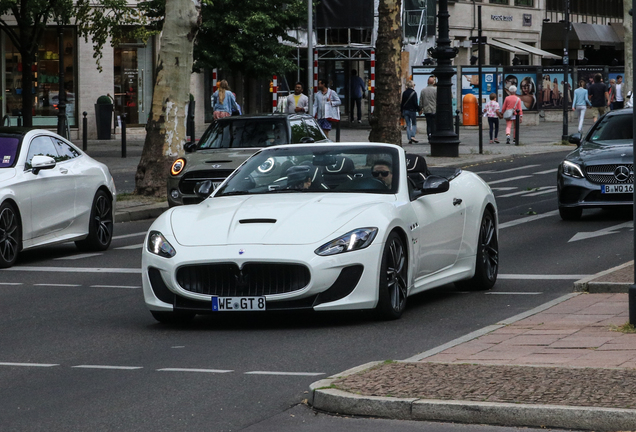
point(321, 227)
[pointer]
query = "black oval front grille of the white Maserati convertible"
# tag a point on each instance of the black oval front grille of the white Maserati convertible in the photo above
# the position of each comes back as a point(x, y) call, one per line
point(254, 279)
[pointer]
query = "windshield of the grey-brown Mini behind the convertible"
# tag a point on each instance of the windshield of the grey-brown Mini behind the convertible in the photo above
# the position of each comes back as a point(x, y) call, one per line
point(245, 133)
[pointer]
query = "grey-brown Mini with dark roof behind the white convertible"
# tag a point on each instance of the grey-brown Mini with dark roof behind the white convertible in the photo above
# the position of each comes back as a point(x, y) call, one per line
point(228, 142)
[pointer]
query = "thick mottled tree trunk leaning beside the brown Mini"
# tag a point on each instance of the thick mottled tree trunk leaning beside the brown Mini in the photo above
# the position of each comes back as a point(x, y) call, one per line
point(166, 128)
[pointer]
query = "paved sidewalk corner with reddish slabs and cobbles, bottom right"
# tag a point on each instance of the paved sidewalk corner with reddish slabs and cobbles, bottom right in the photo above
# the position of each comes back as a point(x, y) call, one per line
point(565, 365)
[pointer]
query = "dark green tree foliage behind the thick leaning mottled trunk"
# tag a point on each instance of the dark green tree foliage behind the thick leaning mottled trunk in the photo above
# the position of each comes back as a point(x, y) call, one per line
point(243, 36)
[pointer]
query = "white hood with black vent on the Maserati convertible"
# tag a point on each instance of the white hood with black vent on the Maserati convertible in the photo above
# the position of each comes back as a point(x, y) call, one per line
point(290, 219)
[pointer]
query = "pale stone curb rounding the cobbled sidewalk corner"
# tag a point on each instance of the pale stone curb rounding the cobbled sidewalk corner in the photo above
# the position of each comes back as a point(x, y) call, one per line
point(324, 397)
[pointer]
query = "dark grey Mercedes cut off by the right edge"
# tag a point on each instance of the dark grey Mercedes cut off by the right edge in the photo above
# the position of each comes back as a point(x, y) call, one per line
point(600, 172)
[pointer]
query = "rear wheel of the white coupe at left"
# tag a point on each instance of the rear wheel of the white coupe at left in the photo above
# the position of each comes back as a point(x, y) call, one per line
point(100, 224)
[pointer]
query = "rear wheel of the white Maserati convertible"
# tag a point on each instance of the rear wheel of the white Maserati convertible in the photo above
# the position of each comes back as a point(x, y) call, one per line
point(487, 261)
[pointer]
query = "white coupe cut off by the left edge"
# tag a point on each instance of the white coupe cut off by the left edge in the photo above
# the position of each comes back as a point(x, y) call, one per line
point(51, 192)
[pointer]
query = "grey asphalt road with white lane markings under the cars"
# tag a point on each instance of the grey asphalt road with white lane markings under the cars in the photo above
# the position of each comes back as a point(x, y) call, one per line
point(79, 351)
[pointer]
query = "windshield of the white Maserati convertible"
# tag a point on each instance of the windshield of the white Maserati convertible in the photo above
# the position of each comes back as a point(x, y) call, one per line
point(368, 169)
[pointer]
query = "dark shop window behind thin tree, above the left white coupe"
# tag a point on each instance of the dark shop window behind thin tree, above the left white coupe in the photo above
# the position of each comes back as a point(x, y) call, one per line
point(46, 86)
